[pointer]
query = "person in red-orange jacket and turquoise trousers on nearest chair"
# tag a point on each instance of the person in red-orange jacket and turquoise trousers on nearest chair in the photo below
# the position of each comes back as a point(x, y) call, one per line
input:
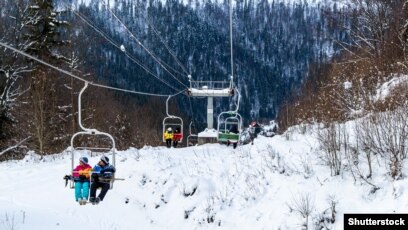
point(81, 176)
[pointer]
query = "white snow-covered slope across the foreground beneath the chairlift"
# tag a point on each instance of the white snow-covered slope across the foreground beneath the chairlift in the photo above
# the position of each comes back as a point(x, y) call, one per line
point(201, 187)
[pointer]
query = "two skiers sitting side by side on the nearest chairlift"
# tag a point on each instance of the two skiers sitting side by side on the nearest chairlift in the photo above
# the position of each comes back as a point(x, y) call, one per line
point(100, 176)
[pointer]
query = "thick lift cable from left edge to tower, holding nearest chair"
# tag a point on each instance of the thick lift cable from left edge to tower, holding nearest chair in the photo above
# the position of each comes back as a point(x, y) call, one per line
point(82, 79)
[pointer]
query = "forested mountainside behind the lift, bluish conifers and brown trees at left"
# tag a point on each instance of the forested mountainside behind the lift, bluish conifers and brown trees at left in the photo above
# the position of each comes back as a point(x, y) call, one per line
point(278, 49)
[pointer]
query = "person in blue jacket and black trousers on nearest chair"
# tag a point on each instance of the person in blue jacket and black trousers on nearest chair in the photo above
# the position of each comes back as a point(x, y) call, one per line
point(102, 174)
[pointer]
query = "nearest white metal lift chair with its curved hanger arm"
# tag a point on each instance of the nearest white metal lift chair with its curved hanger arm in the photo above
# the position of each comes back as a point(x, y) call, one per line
point(90, 132)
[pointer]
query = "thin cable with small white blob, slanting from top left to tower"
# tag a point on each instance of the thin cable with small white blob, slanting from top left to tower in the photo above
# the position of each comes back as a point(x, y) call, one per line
point(110, 40)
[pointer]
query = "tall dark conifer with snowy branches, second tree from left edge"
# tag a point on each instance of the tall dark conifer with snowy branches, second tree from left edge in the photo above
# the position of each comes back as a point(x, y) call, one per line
point(44, 33)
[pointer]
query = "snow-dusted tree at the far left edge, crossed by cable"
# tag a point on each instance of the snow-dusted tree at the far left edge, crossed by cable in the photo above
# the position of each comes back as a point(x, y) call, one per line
point(12, 66)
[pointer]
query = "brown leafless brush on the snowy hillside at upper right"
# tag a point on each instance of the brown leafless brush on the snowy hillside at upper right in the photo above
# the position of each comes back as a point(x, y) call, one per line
point(347, 87)
